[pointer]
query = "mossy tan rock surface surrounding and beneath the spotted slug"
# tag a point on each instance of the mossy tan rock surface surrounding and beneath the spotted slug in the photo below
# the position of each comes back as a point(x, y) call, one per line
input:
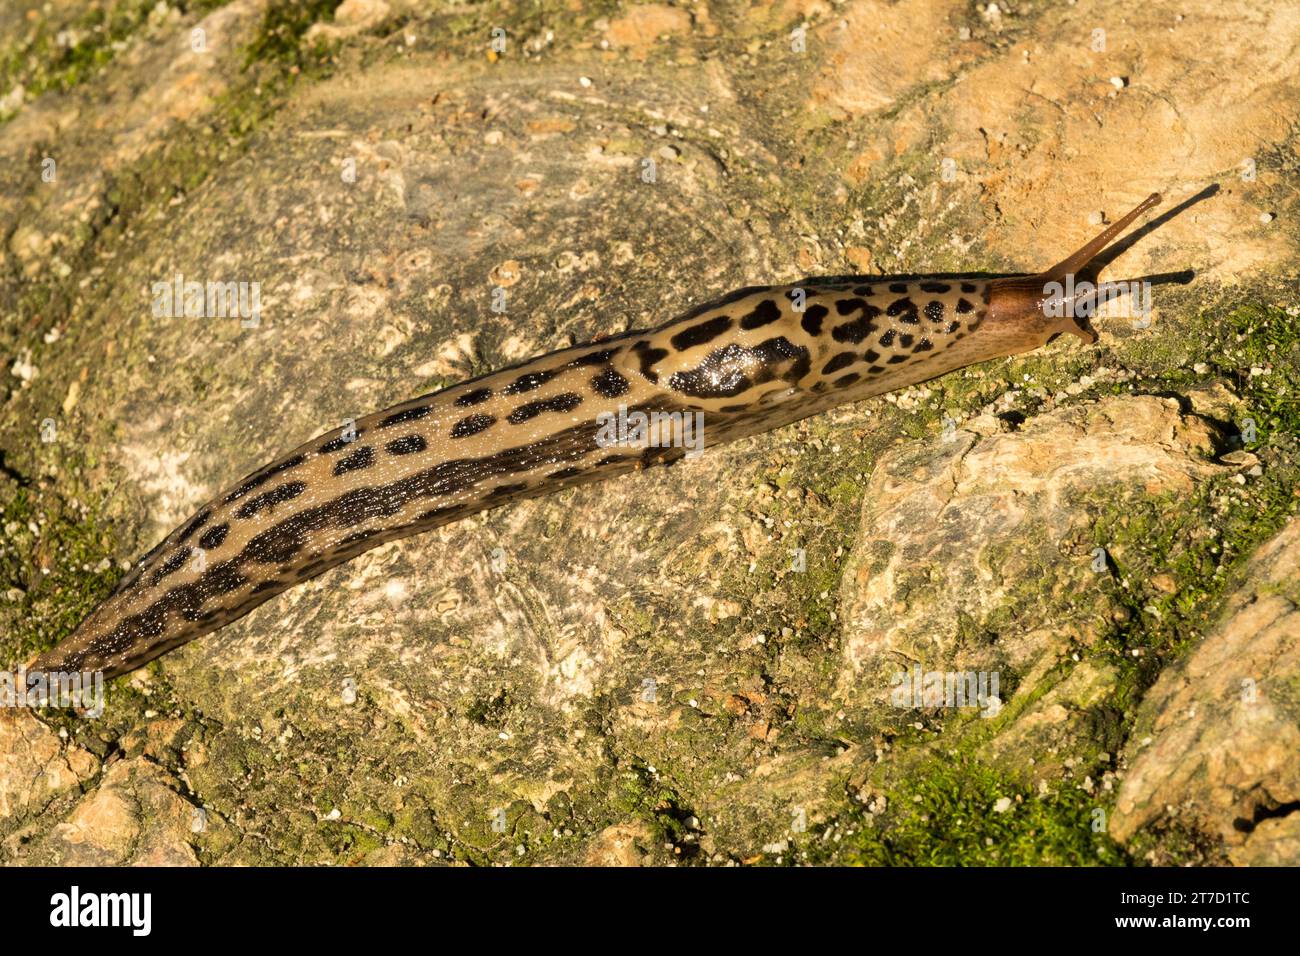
point(697, 664)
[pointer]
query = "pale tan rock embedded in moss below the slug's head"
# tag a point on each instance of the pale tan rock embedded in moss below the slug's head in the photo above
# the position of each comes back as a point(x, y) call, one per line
point(955, 530)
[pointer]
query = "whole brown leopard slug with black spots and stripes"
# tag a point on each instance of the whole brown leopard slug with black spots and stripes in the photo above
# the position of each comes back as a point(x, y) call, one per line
point(757, 360)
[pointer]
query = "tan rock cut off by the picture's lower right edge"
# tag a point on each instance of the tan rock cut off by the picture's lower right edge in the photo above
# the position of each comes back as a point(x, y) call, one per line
point(1217, 738)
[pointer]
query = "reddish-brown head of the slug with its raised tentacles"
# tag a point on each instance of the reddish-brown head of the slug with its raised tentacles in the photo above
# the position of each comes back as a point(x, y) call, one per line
point(1029, 312)
